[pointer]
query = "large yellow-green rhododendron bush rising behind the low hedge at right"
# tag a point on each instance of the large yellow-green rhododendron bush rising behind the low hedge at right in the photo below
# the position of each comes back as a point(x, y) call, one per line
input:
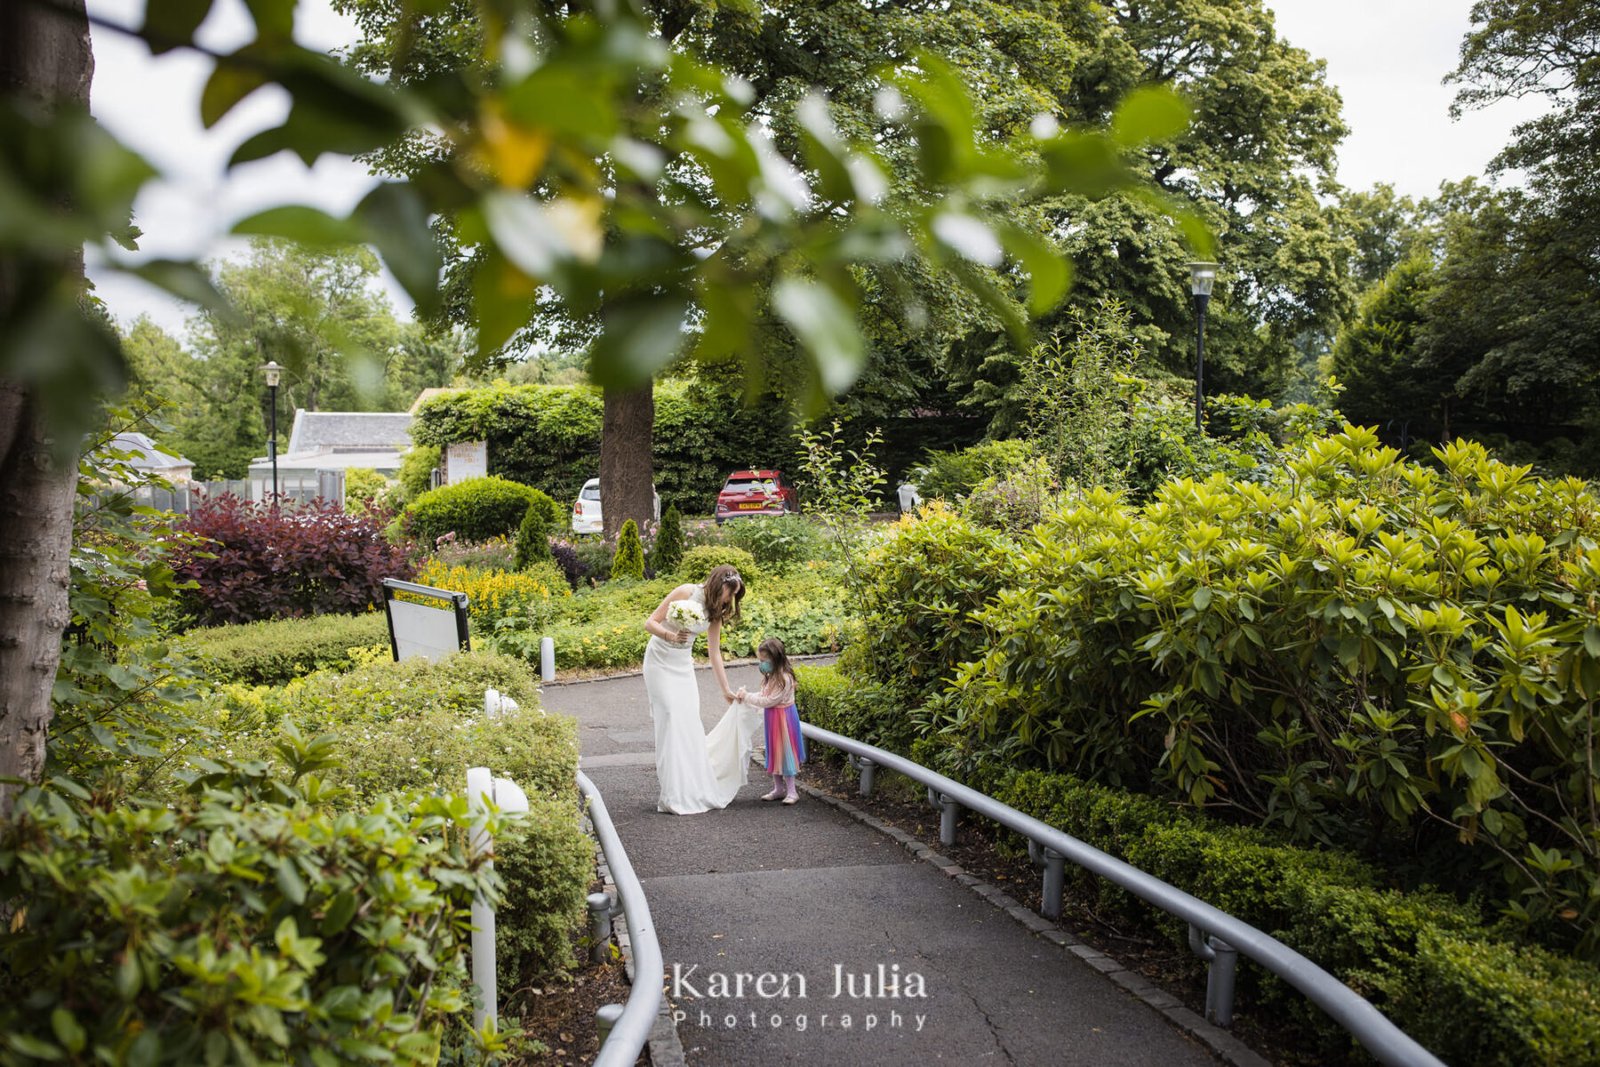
point(1367, 653)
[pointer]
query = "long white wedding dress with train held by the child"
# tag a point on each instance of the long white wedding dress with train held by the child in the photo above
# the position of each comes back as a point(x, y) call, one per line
point(698, 772)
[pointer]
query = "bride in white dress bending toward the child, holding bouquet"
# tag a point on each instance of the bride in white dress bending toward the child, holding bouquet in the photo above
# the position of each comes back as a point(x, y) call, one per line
point(698, 772)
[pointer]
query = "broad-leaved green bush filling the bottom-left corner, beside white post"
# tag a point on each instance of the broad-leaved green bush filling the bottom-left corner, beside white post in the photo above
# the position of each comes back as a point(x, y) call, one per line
point(247, 922)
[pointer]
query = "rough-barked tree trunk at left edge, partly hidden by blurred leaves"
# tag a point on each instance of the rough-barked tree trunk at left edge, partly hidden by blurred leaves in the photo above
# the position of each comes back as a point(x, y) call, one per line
point(46, 55)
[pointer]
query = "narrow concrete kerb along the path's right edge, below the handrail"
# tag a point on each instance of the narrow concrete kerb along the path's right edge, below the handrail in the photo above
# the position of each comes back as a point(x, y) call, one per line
point(1223, 1045)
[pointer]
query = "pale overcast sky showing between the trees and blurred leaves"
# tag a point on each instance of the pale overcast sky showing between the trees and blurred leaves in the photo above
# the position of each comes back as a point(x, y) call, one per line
point(1385, 57)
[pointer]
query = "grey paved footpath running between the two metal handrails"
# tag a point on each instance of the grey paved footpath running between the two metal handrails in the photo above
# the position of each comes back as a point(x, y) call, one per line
point(806, 893)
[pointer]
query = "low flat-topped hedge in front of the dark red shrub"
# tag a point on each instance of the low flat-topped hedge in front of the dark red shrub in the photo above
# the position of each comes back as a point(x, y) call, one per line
point(271, 653)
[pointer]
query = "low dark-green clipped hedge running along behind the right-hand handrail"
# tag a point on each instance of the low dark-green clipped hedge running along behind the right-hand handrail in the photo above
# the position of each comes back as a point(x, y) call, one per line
point(1425, 959)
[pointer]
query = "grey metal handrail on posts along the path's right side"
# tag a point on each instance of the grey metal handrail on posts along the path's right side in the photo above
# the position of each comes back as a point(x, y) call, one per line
point(1214, 935)
